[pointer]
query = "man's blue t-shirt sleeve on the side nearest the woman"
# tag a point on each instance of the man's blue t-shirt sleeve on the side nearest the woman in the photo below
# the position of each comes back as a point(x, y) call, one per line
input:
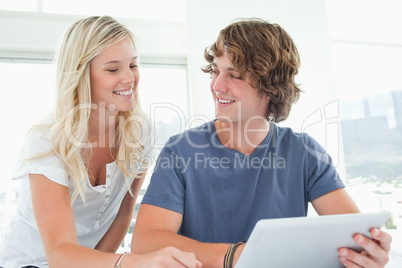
point(167, 187)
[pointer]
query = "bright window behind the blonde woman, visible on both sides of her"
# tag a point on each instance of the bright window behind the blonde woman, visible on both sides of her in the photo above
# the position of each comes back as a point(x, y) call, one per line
point(39, 97)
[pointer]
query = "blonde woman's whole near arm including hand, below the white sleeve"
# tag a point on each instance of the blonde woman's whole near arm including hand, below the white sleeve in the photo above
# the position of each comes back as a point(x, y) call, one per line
point(55, 220)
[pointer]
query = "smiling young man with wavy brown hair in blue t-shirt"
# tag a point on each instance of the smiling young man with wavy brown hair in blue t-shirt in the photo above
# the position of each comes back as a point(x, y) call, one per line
point(212, 183)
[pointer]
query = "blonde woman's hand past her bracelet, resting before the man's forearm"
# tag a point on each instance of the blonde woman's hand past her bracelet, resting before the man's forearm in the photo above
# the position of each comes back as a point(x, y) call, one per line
point(168, 257)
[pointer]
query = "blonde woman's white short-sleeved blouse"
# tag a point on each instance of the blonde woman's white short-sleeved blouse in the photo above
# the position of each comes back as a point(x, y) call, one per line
point(22, 244)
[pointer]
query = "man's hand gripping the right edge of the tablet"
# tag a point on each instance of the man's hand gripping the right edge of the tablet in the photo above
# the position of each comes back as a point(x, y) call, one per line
point(375, 253)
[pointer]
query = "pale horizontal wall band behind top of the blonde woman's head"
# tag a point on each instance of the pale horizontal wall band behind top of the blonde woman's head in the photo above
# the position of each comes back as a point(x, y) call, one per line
point(37, 35)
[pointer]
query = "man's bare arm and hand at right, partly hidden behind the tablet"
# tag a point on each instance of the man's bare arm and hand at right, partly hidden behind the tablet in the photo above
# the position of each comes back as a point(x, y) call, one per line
point(376, 250)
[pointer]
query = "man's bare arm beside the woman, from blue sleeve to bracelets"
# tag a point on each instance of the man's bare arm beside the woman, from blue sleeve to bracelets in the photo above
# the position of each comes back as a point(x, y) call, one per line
point(157, 228)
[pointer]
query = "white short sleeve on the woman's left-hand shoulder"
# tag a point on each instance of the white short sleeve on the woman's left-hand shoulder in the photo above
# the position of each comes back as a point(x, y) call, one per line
point(36, 143)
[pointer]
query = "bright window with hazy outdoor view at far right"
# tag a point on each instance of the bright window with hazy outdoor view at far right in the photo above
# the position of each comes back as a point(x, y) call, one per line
point(366, 56)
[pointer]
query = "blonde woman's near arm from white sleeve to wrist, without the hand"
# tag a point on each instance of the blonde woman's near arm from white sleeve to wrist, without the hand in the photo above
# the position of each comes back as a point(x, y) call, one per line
point(55, 220)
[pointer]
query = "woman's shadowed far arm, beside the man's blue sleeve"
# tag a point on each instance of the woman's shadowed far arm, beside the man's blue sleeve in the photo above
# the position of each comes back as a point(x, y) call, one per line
point(118, 230)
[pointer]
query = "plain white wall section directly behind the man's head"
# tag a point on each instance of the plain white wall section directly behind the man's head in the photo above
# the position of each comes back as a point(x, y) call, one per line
point(306, 22)
